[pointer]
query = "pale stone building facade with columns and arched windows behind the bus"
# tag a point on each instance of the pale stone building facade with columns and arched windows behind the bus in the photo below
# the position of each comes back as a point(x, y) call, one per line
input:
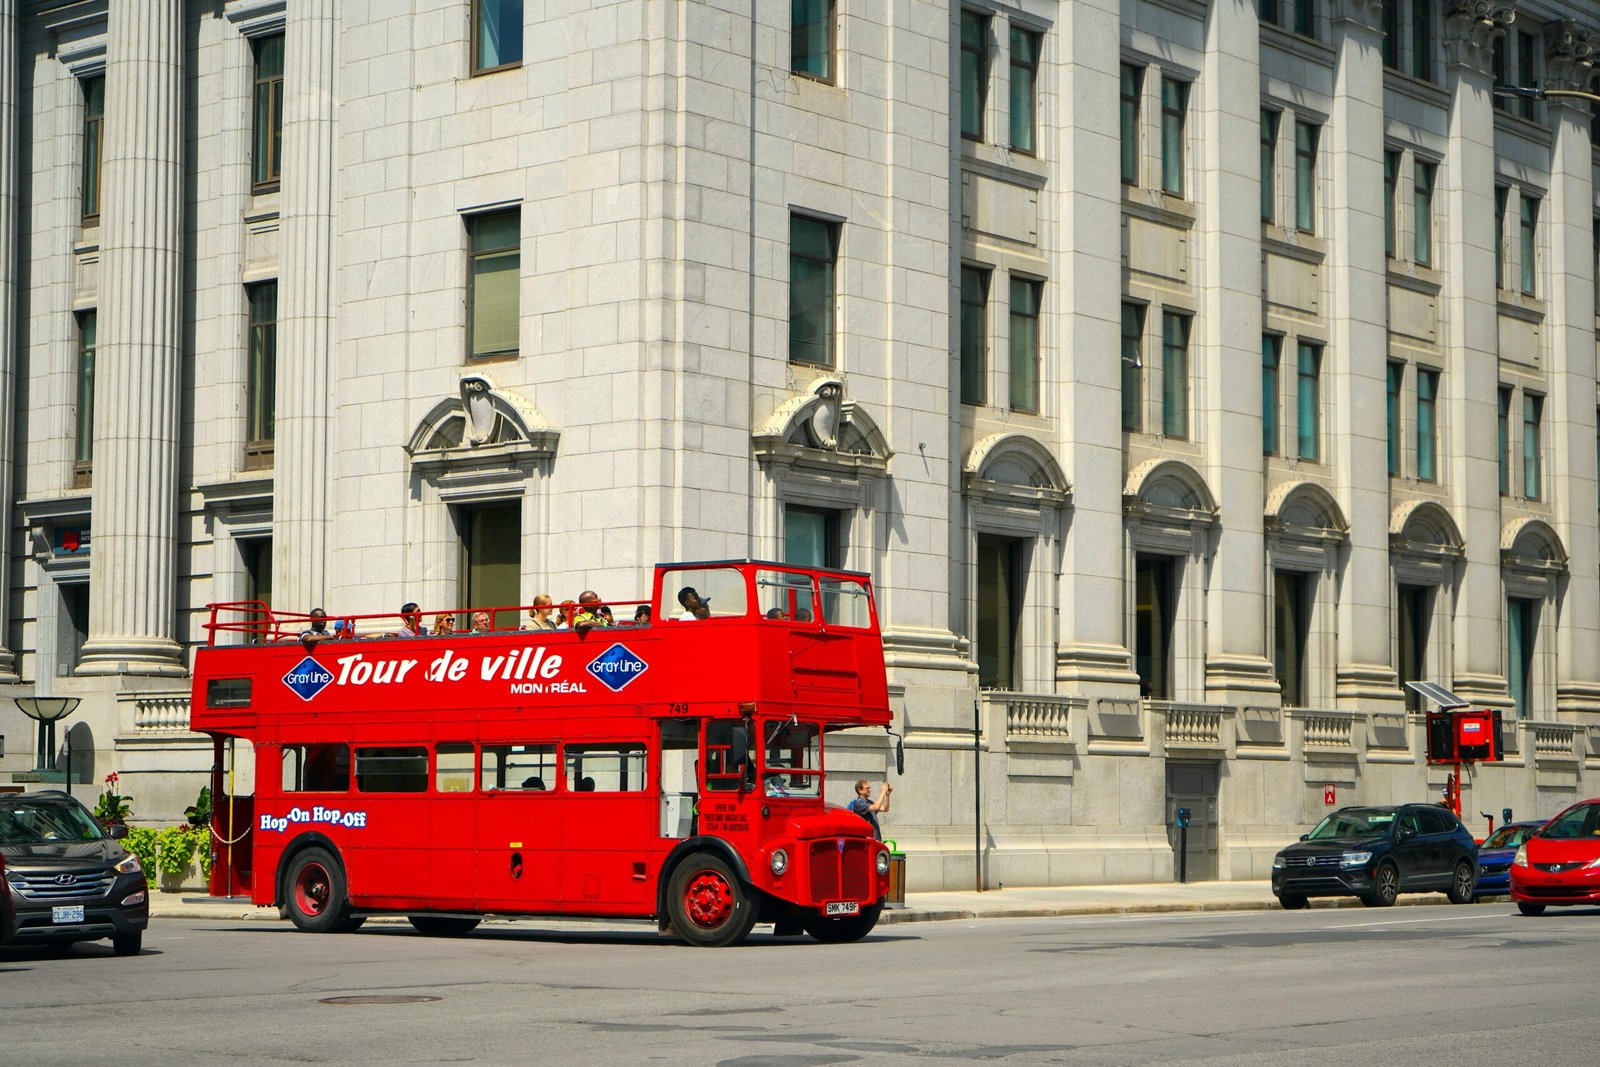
point(1188, 375)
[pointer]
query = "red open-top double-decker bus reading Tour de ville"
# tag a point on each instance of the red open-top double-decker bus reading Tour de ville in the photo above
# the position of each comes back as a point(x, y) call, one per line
point(665, 770)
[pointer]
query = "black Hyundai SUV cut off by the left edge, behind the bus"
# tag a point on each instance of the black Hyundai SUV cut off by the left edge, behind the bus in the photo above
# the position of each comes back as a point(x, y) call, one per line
point(66, 881)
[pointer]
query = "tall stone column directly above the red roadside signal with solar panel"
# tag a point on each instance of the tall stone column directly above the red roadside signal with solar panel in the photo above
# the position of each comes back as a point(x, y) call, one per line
point(1470, 303)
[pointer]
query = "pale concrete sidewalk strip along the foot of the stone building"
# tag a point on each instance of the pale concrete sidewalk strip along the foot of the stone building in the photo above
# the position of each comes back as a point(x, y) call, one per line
point(924, 908)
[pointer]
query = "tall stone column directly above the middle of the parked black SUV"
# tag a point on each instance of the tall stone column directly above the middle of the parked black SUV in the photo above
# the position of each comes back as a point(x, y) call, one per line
point(1359, 345)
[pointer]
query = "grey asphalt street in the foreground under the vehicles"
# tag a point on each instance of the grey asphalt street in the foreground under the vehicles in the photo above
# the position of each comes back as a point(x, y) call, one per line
point(1412, 986)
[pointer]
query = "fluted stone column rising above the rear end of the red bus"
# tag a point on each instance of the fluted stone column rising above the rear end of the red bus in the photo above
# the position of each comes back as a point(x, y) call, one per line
point(302, 486)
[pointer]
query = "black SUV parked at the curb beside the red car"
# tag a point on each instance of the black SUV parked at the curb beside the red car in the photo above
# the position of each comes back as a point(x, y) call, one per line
point(1377, 855)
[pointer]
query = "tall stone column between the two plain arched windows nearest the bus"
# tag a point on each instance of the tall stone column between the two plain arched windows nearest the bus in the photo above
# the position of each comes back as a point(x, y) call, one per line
point(1095, 653)
